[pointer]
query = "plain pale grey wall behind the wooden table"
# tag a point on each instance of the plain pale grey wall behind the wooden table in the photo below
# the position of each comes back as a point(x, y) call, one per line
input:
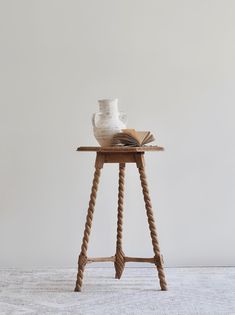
point(171, 64)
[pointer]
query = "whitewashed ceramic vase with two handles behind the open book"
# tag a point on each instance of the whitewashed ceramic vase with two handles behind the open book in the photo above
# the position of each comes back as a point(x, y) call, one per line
point(108, 121)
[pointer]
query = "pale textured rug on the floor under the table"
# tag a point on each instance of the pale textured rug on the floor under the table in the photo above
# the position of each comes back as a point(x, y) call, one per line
point(191, 291)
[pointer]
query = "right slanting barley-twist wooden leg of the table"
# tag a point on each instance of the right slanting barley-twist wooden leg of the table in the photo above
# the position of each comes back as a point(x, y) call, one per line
point(152, 227)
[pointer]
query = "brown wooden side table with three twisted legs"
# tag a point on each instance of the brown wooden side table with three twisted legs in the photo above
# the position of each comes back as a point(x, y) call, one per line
point(120, 155)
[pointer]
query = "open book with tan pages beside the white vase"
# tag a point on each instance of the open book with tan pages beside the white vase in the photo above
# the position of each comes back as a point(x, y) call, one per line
point(133, 138)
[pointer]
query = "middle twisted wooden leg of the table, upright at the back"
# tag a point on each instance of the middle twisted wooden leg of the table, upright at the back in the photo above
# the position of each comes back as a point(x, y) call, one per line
point(120, 257)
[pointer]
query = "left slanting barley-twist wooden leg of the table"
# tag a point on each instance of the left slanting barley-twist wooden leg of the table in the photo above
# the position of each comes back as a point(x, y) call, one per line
point(83, 255)
